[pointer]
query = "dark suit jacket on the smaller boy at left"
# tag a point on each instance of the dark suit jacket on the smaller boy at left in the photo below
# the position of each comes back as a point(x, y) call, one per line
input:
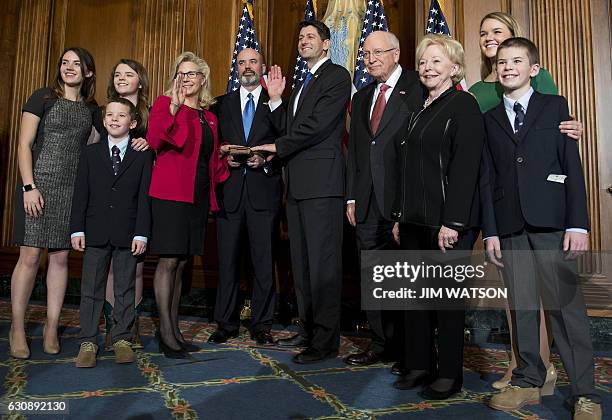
point(108, 208)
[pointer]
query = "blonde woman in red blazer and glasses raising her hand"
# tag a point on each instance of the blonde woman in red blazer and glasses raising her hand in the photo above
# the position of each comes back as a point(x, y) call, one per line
point(184, 134)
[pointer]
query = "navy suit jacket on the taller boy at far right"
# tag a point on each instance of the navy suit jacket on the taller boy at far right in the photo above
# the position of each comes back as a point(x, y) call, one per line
point(519, 166)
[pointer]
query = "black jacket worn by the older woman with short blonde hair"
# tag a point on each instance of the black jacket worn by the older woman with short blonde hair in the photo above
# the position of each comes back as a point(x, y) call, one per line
point(439, 158)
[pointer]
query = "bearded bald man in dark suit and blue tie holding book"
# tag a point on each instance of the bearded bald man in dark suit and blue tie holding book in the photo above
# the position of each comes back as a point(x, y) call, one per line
point(249, 200)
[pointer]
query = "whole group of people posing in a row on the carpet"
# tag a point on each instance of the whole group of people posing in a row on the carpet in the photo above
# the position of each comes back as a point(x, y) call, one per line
point(428, 168)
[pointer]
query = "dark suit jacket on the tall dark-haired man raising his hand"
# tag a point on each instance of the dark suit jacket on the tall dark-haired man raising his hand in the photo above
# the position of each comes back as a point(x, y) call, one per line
point(312, 142)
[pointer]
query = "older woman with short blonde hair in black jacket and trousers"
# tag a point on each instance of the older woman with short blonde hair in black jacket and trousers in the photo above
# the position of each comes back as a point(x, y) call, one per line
point(439, 158)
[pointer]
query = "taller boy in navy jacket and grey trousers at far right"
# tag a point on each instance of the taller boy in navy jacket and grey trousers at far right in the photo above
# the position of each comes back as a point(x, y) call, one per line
point(537, 207)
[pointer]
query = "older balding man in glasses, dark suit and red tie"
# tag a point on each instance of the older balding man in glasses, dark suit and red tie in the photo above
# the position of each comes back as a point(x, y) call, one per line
point(380, 113)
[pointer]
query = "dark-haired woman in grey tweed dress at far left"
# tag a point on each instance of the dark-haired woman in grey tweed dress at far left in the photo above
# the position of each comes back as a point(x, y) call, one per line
point(56, 123)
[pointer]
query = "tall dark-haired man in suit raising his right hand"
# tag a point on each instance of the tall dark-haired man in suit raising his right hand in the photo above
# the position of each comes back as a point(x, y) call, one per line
point(313, 122)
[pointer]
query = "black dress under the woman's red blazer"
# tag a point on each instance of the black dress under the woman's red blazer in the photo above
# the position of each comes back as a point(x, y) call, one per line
point(180, 228)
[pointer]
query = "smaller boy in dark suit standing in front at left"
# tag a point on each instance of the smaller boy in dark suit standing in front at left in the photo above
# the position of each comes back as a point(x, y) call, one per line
point(111, 218)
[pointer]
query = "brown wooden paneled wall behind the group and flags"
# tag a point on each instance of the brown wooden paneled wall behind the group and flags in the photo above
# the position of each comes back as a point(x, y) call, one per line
point(573, 36)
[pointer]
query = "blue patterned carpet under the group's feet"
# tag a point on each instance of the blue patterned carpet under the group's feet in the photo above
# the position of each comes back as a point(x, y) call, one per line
point(243, 381)
